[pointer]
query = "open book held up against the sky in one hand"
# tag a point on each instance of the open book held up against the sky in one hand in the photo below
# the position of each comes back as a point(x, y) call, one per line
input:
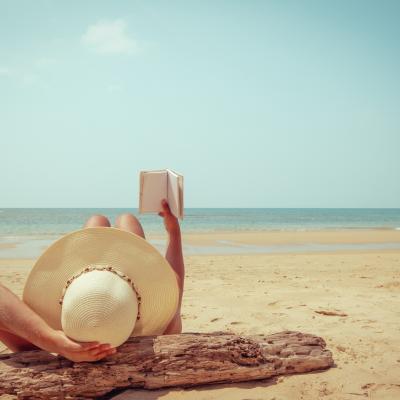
point(158, 185)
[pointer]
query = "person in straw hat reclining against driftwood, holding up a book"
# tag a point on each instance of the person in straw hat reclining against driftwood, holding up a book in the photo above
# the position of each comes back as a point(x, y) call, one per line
point(23, 328)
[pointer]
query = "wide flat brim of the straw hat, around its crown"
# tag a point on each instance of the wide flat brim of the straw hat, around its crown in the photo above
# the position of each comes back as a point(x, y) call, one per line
point(129, 253)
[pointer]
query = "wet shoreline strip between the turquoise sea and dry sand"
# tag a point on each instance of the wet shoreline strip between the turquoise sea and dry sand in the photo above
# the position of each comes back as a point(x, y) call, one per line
point(239, 242)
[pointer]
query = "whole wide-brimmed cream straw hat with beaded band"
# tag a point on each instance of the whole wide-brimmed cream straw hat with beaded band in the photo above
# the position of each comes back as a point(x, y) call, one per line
point(103, 284)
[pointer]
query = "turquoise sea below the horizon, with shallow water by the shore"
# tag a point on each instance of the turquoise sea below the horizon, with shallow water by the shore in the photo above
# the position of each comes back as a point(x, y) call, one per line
point(32, 229)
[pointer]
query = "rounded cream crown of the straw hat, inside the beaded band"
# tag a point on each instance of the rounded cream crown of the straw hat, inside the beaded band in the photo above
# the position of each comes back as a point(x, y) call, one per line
point(99, 306)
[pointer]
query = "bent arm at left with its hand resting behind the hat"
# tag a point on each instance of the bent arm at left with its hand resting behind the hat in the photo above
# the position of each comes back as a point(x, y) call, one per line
point(22, 329)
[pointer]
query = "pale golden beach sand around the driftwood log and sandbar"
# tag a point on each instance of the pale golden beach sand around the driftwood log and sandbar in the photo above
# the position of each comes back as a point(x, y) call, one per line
point(267, 293)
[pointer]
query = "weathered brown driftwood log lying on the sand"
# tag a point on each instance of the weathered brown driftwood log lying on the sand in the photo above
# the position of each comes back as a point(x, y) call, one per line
point(154, 362)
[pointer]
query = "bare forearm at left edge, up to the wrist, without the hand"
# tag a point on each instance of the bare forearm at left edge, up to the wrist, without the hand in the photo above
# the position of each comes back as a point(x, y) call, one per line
point(17, 318)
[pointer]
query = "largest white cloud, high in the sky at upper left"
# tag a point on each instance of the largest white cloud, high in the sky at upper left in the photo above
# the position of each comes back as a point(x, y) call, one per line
point(109, 37)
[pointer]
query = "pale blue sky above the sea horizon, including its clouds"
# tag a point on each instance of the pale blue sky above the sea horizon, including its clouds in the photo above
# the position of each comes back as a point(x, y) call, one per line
point(257, 103)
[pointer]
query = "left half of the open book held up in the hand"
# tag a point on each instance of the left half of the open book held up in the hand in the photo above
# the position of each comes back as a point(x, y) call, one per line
point(153, 188)
